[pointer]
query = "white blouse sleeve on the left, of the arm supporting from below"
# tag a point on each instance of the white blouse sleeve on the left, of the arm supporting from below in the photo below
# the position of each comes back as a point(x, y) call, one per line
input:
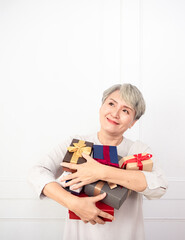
point(46, 170)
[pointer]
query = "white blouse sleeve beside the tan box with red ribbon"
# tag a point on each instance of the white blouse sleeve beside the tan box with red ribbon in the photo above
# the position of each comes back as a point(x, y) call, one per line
point(156, 181)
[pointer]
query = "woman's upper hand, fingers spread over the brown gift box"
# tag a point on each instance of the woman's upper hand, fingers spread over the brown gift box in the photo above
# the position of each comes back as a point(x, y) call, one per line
point(87, 172)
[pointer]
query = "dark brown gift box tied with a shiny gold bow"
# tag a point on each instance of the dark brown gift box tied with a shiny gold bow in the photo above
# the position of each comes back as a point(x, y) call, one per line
point(70, 155)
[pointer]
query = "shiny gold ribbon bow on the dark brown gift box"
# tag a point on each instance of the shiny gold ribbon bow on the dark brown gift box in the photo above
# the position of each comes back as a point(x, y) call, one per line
point(78, 149)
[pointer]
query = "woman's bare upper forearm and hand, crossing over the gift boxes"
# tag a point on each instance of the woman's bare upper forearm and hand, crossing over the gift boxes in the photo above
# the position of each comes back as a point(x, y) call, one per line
point(92, 171)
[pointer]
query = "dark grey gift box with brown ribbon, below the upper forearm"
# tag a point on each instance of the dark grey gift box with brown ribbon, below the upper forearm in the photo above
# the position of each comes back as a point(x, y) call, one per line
point(114, 198)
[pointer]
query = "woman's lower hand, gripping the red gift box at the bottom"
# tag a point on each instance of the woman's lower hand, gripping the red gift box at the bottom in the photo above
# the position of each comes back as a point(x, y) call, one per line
point(86, 209)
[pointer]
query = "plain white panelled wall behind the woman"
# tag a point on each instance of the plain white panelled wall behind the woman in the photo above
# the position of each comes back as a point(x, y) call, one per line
point(56, 58)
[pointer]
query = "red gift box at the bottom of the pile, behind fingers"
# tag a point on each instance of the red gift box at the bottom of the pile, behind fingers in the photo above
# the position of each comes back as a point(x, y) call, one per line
point(104, 207)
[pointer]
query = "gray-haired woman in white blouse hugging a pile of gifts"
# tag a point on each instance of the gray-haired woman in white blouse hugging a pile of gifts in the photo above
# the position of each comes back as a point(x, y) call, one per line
point(122, 106)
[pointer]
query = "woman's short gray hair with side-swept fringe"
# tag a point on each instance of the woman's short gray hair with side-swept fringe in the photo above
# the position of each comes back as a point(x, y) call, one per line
point(131, 96)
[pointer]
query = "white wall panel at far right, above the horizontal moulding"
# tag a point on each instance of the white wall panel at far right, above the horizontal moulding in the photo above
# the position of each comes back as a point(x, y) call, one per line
point(163, 81)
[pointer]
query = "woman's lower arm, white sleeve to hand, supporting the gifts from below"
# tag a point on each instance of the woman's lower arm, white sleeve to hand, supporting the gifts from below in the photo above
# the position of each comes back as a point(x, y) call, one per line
point(42, 177)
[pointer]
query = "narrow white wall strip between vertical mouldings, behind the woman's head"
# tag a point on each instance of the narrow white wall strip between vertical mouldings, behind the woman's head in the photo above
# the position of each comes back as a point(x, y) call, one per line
point(130, 51)
